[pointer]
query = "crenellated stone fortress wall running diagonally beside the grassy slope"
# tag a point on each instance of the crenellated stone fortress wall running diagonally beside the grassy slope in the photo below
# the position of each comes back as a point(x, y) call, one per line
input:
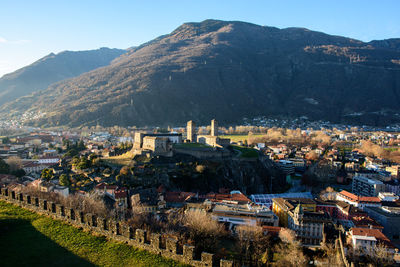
point(116, 230)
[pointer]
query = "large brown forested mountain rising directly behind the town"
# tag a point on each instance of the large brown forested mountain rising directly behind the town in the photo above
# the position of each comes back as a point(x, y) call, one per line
point(229, 70)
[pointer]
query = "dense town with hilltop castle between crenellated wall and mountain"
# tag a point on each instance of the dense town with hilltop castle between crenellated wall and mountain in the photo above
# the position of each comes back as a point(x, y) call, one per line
point(251, 194)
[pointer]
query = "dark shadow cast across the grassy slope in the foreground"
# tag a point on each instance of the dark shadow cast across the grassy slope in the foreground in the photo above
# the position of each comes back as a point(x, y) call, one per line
point(22, 245)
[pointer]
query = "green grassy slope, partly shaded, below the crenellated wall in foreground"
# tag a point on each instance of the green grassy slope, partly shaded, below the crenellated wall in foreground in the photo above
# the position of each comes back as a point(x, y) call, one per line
point(29, 239)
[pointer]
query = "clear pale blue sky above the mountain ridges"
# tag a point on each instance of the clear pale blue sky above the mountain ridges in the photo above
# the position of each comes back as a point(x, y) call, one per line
point(30, 30)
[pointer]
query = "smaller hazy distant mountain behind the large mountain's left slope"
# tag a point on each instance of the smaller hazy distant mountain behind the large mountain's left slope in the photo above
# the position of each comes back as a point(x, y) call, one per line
point(53, 68)
